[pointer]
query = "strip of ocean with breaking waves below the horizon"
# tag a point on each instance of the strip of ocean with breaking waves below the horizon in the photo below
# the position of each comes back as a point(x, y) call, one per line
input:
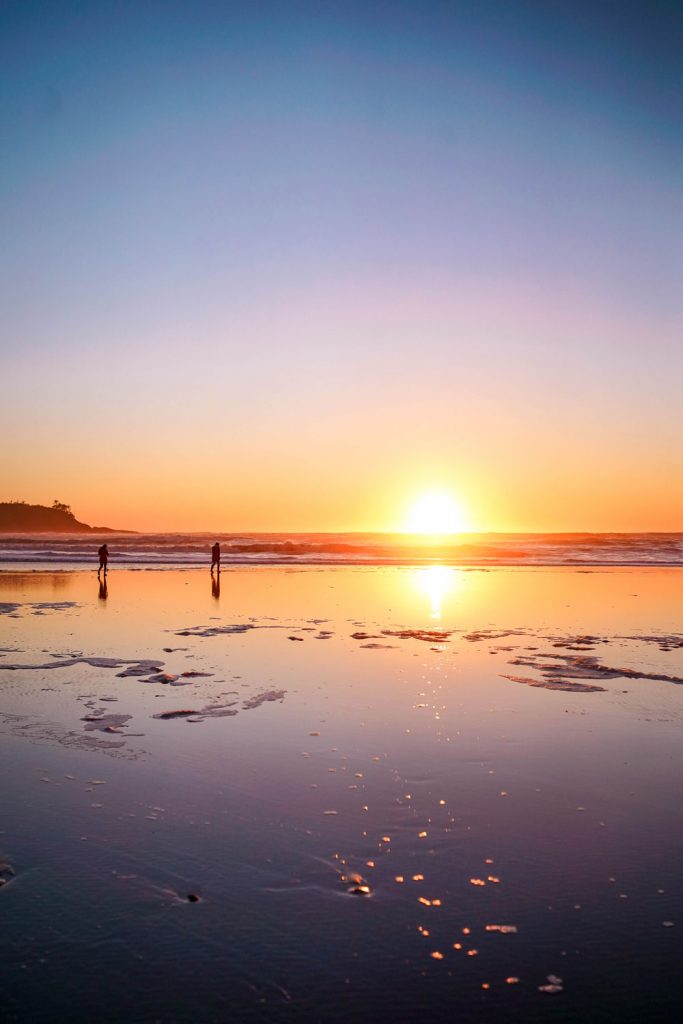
point(175, 550)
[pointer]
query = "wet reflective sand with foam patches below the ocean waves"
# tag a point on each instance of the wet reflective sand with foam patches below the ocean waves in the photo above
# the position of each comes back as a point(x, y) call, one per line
point(397, 793)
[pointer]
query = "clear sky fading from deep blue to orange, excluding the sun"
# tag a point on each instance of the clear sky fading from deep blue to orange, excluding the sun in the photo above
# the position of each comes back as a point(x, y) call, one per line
point(285, 267)
